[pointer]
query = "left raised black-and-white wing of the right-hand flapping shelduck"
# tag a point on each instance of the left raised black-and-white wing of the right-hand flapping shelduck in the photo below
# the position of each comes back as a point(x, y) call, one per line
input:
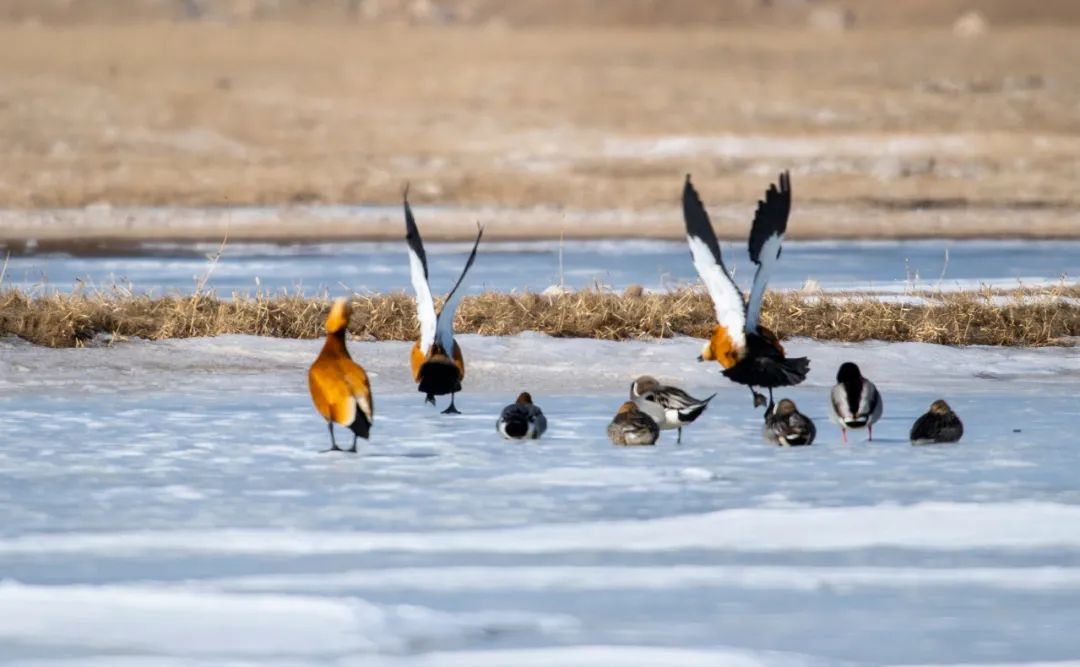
point(705, 250)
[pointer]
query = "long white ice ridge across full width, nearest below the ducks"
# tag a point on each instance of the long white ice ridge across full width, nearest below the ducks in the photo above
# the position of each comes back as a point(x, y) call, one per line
point(939, 526)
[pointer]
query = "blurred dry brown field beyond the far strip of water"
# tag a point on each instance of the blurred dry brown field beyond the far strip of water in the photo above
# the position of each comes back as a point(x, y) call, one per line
point(888, 132)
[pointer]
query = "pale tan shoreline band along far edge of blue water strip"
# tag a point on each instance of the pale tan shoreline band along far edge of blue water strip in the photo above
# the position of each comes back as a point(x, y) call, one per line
point(83, 230)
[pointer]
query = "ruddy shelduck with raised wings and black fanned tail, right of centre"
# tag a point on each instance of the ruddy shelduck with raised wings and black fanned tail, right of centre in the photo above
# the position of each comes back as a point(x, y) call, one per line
point(750, 353)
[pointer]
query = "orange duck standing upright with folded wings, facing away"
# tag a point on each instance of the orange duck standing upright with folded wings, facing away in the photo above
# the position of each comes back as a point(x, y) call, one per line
point(339, 386)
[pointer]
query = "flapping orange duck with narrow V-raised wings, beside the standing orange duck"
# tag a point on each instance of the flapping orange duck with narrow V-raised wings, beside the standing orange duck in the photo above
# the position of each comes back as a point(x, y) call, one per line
point(438, 365)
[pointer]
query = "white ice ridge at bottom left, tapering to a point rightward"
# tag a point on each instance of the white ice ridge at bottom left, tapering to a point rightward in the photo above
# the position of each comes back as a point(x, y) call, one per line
point(161, 620)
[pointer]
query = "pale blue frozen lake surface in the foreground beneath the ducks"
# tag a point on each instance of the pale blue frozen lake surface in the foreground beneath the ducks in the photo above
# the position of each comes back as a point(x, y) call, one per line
point(166, 505)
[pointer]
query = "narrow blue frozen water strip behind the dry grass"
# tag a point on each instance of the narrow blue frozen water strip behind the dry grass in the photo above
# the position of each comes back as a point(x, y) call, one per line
point(534, 266)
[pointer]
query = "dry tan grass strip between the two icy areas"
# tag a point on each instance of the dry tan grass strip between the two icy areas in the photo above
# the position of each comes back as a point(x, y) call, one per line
point(961, 319)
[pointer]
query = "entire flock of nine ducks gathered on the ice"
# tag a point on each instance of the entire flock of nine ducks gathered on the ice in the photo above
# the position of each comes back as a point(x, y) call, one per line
point(749, 353)
